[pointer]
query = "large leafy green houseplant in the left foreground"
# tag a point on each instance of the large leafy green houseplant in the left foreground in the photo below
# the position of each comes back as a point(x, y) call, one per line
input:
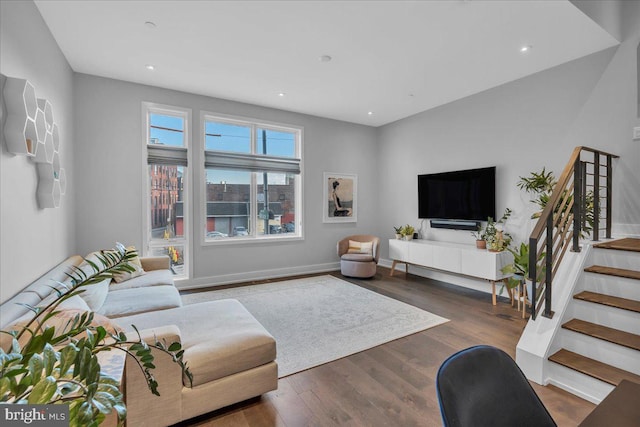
point(55, 362)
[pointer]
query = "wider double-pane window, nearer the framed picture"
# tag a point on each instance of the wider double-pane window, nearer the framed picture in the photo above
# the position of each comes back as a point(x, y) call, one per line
point(252, 179)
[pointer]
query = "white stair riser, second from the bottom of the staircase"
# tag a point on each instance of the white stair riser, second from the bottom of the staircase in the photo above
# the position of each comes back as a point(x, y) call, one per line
point(603, 351)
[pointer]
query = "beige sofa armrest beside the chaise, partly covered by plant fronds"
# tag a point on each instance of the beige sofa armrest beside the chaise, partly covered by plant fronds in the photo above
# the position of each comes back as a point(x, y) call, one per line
point(143, 407)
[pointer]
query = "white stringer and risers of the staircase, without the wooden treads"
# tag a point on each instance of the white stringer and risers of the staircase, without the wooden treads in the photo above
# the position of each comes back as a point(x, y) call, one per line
point(536, 365)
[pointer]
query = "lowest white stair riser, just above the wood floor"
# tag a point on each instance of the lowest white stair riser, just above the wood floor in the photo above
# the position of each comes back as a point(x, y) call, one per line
point(576, 383)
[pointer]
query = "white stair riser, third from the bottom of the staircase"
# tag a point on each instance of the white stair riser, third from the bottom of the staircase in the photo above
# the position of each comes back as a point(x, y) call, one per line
point(623, 320)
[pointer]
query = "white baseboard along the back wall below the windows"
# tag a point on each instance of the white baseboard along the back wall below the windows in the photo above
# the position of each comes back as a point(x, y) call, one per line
point(248, 276)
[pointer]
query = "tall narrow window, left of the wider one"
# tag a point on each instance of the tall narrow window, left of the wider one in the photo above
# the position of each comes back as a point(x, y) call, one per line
point(167, 142)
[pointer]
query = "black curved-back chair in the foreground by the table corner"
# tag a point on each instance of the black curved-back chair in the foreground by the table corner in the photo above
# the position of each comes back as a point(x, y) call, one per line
point(483, 386)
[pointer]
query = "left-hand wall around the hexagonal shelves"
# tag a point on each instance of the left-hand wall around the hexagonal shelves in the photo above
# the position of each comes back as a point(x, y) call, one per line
point(33, 240)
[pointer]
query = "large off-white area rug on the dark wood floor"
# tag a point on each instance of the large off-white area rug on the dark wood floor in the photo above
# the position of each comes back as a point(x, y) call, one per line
point(319, 319)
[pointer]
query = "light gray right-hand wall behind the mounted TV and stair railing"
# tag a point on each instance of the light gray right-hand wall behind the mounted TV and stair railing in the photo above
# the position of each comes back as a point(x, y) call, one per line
point(521, 127)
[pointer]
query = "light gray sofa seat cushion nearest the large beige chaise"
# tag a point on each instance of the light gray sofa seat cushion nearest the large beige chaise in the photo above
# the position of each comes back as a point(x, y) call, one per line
point(126, 302)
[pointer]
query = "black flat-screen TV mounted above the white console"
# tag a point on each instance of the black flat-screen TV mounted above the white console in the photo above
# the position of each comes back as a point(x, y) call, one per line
point(462, 195)
